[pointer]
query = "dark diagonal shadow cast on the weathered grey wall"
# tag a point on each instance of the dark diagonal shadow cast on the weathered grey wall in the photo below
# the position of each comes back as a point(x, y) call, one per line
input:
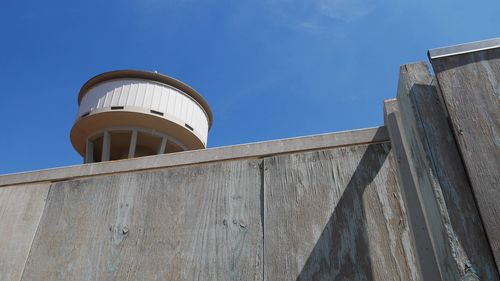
point(342, 251)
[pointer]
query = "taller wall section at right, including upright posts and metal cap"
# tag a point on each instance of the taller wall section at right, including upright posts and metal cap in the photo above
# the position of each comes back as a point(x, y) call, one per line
point(444, 133)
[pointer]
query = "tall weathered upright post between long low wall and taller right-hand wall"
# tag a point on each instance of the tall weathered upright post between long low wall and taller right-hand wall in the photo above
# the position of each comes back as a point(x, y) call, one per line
point(424, 145)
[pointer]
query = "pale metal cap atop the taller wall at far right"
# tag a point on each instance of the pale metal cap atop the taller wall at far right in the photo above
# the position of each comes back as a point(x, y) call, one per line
point(470, 47)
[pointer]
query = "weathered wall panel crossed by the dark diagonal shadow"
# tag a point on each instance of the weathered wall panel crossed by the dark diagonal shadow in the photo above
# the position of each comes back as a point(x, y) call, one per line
point(336, 215)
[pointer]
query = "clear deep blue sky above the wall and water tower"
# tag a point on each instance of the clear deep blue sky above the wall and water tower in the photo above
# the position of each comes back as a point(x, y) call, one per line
point(269, 68)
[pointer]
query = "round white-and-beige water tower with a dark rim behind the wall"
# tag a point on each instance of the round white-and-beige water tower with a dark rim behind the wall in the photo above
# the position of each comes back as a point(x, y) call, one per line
point(131, 113)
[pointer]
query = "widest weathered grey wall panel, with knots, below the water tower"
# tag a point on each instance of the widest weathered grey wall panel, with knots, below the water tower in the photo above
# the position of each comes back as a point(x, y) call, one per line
point(195, 223)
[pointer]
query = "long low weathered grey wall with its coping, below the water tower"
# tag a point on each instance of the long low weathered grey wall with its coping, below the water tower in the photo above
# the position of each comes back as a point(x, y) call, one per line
point(326, 207)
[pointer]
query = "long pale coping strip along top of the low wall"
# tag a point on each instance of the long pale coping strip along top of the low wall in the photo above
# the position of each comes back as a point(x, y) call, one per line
point(251, 150)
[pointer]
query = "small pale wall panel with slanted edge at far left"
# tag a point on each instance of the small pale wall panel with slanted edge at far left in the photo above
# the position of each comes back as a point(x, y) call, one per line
point(20, 210)
